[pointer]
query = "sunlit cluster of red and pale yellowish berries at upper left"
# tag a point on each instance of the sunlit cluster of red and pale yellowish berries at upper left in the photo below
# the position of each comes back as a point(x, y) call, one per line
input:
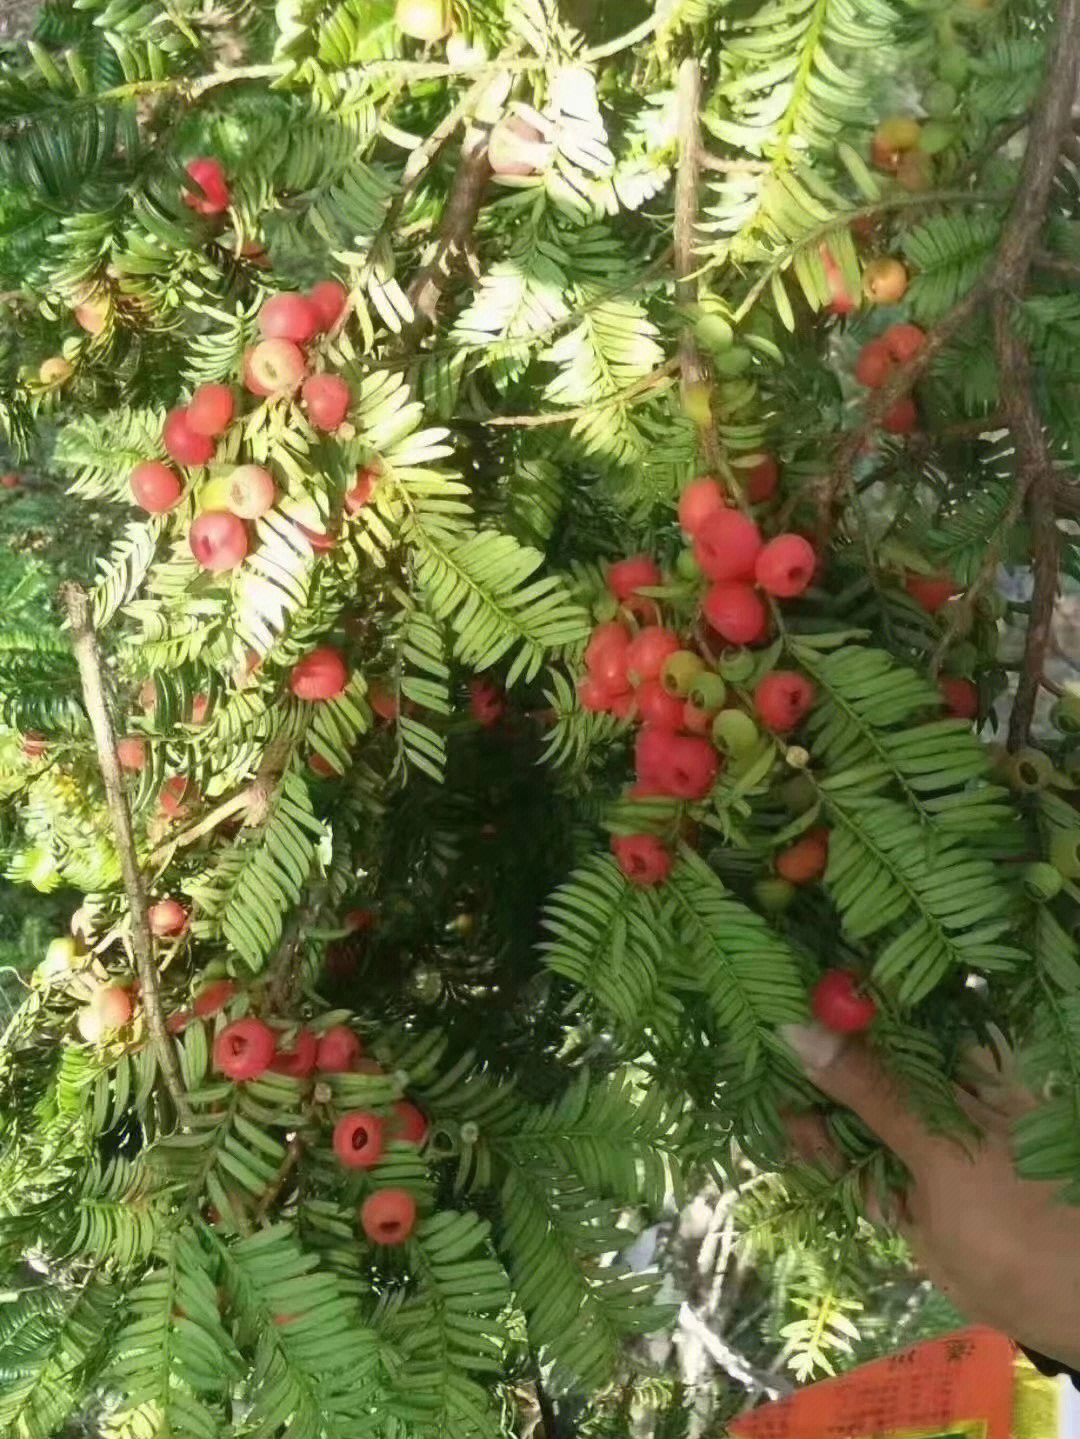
point(274, 368)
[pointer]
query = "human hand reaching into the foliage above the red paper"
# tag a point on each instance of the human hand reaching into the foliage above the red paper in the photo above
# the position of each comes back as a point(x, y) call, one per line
point(1005, 1250)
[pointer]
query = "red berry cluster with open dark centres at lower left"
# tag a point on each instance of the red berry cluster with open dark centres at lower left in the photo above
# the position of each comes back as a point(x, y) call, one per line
point(248, 1048)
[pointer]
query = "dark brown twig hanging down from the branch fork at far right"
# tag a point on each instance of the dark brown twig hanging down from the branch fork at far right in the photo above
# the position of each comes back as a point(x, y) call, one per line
point(1035, 487)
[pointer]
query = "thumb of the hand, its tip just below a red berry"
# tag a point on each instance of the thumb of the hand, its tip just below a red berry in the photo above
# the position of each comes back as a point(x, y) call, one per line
point(849, 1073)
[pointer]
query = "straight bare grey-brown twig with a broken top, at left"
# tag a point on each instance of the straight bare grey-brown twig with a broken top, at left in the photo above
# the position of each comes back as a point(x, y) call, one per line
point(88, 657)
